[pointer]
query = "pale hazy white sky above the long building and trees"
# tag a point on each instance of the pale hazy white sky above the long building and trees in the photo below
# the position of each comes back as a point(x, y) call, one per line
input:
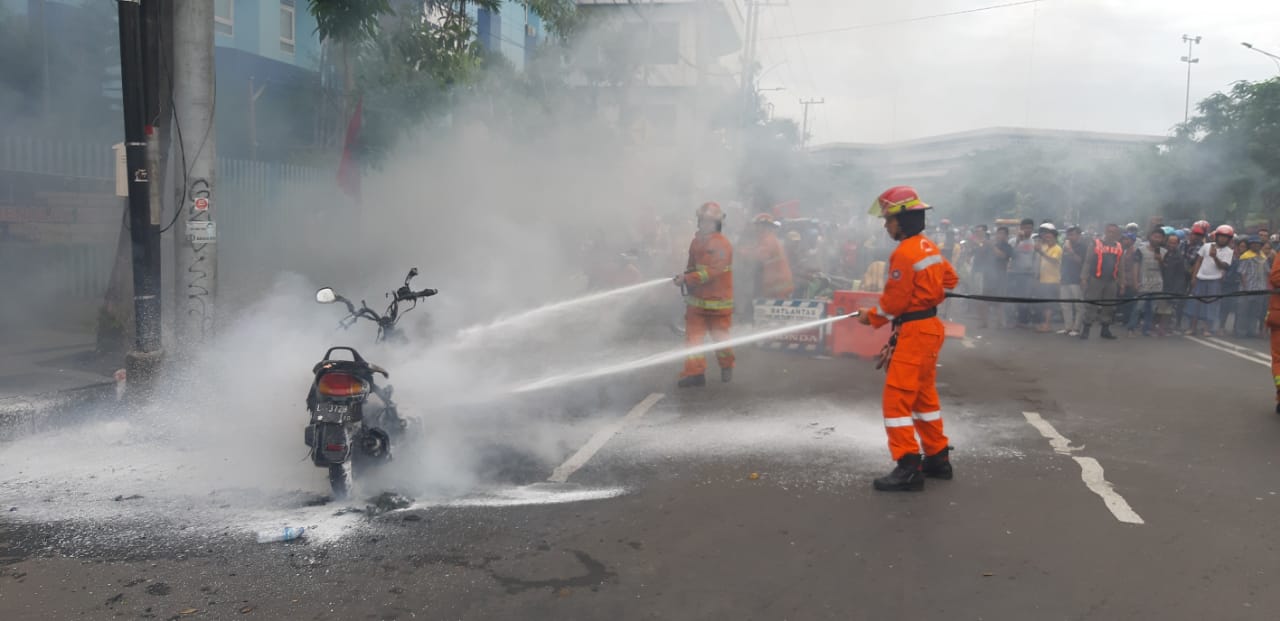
point(1108, 66)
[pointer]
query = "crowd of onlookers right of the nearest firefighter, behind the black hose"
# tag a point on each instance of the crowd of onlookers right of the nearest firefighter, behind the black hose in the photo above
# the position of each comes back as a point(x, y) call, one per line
point(1026, 261)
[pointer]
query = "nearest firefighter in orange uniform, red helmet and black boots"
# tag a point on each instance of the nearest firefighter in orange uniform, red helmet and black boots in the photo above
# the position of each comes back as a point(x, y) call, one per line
point(918, 276)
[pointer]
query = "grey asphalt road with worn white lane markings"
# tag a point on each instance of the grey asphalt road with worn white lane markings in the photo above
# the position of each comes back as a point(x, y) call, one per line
point(1041, 523)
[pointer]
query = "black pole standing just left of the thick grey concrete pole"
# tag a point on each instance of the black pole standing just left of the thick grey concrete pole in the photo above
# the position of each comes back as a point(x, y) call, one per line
point(144, 362)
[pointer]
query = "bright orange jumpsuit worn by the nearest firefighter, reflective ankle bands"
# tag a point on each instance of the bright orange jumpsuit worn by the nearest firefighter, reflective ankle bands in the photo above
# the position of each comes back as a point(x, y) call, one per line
point(918, 276)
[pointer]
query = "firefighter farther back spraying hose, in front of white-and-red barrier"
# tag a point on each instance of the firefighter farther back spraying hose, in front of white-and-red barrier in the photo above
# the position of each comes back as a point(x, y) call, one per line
point(708, 282)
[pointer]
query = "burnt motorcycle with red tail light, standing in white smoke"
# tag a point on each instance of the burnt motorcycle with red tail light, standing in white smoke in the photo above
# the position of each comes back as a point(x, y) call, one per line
point(349, 431)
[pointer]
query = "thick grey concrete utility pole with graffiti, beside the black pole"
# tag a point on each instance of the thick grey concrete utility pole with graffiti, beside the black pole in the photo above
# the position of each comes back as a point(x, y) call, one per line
point(195, 249)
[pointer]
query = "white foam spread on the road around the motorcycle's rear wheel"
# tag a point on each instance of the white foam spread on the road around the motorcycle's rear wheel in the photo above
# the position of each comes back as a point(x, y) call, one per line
point(75, 477)
